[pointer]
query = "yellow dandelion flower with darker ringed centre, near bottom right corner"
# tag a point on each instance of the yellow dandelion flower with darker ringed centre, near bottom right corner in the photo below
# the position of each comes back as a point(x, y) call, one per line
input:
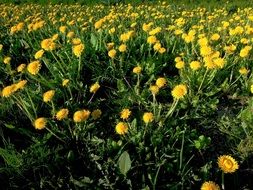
point(227, 164)
